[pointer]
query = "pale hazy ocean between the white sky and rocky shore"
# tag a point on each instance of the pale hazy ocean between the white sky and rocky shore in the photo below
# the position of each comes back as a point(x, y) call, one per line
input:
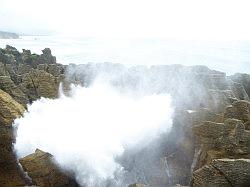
point(229, 57)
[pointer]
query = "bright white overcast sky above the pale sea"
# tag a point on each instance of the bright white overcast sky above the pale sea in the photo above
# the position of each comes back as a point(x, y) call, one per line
point(188, 19)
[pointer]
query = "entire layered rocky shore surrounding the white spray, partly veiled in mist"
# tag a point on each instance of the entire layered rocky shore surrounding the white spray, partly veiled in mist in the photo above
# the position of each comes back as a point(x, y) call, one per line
point(209, 144)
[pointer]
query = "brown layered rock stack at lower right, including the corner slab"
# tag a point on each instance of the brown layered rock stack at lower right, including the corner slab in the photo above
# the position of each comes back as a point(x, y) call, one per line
point(216, 141)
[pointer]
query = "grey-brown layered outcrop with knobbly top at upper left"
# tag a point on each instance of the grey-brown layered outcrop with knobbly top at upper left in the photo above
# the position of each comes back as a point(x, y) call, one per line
point(27, 77)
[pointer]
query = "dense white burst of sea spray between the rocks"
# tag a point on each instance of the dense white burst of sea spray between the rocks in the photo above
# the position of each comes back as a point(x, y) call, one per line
point(88, 130)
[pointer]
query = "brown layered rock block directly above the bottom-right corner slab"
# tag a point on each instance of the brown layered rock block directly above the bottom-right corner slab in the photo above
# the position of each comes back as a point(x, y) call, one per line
point(221, 140)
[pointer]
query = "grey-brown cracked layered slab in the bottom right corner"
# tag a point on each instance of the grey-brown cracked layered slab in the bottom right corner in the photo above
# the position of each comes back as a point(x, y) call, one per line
point(223, 173)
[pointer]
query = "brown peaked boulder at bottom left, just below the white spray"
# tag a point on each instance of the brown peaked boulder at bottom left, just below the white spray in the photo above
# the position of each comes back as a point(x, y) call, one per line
point(44, 173)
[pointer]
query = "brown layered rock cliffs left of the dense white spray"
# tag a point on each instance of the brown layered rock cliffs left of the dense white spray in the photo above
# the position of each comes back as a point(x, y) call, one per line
point(24, 78)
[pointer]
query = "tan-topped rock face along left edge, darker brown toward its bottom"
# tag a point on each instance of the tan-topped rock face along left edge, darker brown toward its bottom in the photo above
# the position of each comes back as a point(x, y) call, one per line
point(10, 176)
